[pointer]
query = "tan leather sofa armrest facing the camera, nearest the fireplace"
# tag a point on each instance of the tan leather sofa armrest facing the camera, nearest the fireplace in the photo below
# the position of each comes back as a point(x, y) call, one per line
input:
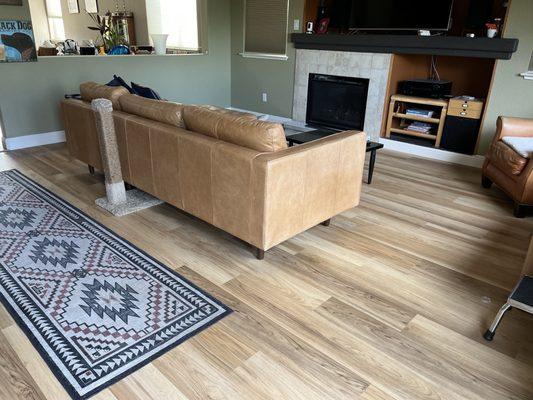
point(300, 187)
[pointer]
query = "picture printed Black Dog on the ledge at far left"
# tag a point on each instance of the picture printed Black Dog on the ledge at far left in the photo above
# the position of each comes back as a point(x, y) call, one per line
point(17, 43)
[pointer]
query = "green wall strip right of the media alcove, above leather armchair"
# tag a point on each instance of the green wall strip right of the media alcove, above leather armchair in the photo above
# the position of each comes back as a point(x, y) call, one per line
point(512, 95)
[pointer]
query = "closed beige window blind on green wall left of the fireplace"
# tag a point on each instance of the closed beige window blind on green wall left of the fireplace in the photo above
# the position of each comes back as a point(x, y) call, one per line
point(265, 26)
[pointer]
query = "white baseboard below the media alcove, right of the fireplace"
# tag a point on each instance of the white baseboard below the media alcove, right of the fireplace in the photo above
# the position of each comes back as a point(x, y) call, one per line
point(434, 154)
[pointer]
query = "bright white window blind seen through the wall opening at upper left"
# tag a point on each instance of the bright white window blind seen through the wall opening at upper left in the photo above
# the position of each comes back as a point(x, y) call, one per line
point(176, 18)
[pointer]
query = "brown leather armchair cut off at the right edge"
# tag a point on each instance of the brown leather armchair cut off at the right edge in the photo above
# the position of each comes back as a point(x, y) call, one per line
point(508, 169)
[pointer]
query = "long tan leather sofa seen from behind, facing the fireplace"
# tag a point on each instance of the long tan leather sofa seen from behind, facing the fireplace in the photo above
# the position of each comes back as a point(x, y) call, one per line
point(226, 168)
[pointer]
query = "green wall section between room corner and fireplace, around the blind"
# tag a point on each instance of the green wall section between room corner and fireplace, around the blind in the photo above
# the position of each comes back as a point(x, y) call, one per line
point(251, 77)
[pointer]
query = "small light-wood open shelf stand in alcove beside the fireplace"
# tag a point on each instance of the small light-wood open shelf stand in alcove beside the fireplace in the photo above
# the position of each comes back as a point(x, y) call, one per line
point(398, 117)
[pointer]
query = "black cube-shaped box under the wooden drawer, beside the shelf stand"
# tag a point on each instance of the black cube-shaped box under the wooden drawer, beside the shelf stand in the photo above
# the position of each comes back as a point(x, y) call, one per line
point(460, 134)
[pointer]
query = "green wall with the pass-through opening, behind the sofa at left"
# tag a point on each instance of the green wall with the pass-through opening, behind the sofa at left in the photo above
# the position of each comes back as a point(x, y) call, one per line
point(30, 92)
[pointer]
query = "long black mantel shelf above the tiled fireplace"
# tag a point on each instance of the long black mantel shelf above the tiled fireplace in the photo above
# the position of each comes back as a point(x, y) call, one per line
point(410, 44)
